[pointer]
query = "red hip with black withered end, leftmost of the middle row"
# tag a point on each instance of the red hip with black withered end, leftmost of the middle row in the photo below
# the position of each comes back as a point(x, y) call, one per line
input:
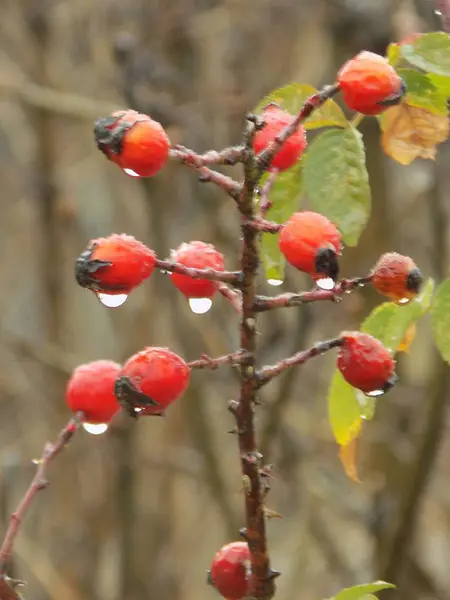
point(115, 264)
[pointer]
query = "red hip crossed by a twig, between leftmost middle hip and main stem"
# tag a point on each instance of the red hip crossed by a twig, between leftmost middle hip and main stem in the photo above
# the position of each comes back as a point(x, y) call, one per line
point(196, 255)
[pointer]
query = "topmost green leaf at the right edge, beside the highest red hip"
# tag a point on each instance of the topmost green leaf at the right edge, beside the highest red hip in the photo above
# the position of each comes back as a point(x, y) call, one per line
point(430, 52)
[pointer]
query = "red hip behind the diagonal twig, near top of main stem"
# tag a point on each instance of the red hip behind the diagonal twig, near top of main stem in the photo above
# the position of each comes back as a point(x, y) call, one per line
point(276, 120)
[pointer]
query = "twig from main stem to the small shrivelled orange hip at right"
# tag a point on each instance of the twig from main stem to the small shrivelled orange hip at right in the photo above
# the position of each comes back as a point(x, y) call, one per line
point(288, 300)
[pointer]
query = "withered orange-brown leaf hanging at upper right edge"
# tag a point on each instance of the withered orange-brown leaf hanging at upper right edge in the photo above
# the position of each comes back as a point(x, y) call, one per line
point(410, 132)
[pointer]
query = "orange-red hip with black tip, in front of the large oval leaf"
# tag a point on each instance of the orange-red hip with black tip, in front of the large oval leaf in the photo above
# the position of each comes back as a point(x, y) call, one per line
point(311, 243)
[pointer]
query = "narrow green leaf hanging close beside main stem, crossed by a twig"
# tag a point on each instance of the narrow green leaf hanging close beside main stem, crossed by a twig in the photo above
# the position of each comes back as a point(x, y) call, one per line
point(285, 195)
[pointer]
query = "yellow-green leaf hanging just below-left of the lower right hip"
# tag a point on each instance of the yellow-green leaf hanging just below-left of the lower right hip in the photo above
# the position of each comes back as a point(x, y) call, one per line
point(344, 412)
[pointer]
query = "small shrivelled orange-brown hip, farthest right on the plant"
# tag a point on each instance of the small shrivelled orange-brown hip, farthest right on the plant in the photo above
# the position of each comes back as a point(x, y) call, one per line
point(397, 277)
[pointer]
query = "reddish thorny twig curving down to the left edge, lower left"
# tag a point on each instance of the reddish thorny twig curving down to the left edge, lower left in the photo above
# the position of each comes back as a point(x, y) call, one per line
point(38, 483)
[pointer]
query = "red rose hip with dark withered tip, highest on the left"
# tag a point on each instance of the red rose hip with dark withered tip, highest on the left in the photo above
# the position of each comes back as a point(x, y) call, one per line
point(135, 142)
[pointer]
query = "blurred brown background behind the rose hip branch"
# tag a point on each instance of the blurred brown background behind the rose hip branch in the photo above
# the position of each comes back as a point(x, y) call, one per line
point(139, 512)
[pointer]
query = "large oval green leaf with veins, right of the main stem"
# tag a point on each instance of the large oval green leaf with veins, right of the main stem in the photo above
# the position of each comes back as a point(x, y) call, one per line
point(336, 181)
